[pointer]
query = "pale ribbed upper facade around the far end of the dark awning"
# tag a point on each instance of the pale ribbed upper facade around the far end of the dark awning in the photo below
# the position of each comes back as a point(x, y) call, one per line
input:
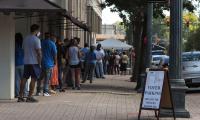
point(88, 12)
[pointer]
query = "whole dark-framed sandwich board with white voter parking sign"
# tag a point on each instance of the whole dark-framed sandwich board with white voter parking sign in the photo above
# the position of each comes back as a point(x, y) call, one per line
point(157, 93)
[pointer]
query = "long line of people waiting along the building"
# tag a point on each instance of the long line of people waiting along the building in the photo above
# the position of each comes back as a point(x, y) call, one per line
point(55, 65)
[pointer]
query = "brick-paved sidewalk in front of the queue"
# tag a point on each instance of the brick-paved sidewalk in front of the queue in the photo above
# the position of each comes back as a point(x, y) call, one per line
point(112, 98)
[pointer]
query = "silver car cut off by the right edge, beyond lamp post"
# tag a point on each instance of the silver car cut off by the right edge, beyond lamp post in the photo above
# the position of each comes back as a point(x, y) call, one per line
point(191, 68)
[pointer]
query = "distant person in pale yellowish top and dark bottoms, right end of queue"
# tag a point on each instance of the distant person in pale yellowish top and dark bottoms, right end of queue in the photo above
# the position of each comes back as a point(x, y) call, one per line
point(124, 63)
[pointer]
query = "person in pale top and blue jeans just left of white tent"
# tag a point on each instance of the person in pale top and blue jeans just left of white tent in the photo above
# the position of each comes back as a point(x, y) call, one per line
point(99, 65)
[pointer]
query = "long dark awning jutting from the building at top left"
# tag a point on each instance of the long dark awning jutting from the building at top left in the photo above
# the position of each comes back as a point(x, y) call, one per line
point(38, 6)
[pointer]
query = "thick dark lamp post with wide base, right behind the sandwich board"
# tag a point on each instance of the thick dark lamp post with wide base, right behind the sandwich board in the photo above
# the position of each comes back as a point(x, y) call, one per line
point(175, 67)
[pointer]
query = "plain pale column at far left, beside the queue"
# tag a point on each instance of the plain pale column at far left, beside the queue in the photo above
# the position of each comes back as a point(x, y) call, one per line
point(7, 61)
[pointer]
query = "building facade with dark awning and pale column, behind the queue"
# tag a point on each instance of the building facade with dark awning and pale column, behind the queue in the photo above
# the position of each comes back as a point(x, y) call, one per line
point(64, 18)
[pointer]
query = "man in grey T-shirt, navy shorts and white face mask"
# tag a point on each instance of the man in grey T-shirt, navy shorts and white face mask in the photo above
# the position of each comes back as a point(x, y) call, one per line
point(32, 62)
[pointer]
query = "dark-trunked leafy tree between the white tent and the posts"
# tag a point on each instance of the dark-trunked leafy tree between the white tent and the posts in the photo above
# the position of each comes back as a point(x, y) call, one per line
point(134, 13)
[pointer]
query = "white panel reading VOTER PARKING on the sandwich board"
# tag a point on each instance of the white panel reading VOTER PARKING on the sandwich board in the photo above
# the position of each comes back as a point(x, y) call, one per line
point(153, 90)
